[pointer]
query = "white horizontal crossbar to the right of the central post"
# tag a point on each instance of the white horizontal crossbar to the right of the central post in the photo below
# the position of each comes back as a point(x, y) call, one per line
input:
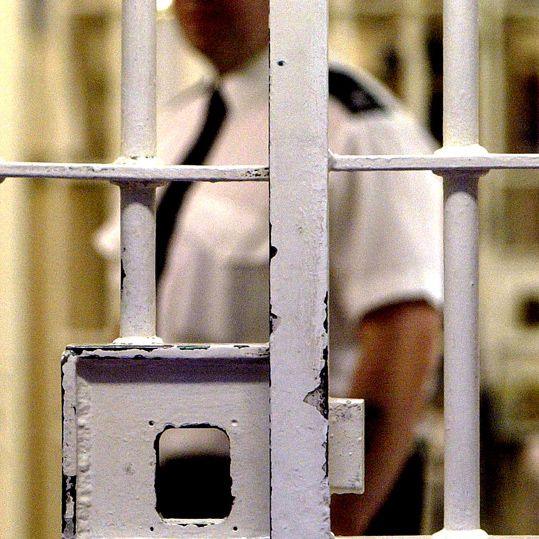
point(434, 162)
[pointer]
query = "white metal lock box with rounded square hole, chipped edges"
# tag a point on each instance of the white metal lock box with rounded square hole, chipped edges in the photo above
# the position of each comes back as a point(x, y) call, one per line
point(118, 401)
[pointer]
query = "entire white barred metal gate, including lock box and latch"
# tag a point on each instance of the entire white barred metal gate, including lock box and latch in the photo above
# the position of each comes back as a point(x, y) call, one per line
point(119, 398)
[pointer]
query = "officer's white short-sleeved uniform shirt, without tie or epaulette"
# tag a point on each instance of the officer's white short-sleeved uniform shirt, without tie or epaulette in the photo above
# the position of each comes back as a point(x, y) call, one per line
point(385, 227)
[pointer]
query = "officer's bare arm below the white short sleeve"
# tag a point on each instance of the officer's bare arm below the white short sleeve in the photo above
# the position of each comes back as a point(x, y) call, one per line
point(399, 347)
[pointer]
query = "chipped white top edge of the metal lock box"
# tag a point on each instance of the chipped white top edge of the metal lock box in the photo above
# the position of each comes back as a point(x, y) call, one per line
point(174, 351)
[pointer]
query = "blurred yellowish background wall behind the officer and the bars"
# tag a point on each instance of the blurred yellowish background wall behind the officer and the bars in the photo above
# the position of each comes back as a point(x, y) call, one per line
point(59, 101)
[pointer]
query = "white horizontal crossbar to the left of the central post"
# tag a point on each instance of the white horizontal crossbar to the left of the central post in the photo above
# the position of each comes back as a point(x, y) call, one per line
point(133, 172)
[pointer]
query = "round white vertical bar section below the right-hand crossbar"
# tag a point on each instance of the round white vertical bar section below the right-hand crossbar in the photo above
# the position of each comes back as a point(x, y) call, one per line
point(461, 363)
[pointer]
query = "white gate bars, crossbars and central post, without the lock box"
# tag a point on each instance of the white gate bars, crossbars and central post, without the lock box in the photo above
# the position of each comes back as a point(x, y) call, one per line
point(299, 155)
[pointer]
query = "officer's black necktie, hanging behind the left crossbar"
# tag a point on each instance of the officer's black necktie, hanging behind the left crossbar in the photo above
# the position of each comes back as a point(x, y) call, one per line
point(171, 202)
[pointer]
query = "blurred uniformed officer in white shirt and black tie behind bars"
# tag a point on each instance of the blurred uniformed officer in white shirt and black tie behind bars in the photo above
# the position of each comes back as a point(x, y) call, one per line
point(385, 245)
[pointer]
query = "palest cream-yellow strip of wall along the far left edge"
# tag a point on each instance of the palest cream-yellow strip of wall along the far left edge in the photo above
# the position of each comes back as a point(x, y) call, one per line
point(14, 306)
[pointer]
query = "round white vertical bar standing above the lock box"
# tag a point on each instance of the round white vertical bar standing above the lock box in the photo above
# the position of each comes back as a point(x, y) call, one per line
point(138, 143)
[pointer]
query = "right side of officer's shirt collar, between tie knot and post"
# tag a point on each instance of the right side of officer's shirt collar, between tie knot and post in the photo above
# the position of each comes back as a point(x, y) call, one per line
point(248, 86)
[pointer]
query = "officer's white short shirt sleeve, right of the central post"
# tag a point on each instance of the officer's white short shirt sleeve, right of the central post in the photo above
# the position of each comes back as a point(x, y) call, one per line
point(385, 227)
